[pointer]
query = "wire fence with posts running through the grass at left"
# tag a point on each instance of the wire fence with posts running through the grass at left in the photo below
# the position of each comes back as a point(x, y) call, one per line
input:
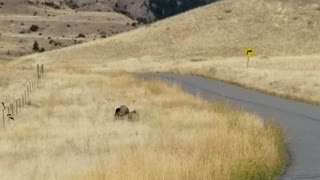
point(11, 110)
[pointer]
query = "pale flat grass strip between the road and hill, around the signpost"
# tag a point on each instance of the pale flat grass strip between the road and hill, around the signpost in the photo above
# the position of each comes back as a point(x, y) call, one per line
point(289, 77)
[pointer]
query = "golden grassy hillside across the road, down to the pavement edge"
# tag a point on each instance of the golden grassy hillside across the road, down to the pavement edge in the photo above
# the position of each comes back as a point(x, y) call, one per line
point(211, 40)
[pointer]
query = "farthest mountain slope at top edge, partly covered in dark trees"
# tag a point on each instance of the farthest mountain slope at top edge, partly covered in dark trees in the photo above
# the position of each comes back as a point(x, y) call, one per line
point(144, 11)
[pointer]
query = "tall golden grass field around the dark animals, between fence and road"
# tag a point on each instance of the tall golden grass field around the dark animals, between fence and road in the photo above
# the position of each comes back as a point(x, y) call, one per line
point(68, 132)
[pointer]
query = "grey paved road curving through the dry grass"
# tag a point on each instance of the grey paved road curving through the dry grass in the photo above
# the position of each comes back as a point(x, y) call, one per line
point(301, 122)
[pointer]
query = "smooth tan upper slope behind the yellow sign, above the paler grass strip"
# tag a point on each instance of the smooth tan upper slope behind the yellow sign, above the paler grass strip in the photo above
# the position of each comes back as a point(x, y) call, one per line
point(224, 28)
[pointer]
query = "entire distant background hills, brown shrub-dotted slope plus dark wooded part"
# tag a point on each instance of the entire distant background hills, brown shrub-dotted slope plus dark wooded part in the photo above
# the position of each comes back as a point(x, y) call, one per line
point(60, 22)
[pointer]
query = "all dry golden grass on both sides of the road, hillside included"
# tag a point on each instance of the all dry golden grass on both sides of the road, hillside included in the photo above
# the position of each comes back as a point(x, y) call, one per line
point(68, 132)
